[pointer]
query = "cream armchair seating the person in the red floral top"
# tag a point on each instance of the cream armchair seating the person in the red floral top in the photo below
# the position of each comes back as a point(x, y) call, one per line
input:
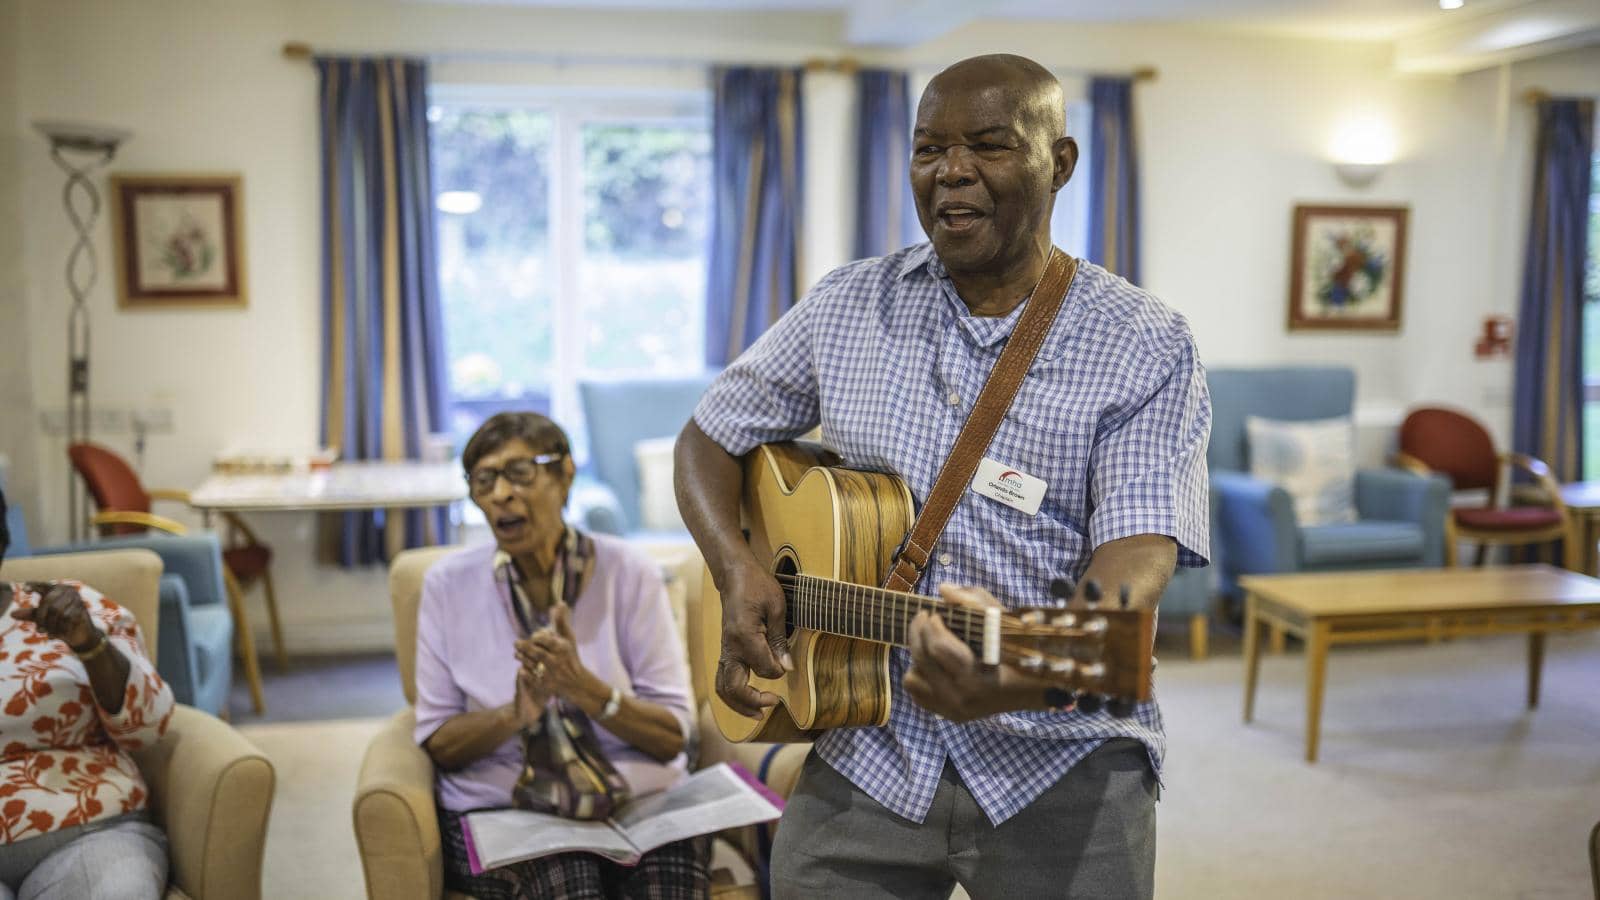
point(210, 789)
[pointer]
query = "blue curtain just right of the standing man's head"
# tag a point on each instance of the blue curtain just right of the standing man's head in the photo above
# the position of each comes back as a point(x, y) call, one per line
point(1114, 179)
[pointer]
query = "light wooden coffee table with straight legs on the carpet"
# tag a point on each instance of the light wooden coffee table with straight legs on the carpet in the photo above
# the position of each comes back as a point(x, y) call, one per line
point(1410, 605)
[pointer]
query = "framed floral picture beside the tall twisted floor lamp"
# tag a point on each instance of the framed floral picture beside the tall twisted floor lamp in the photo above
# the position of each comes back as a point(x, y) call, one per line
point(178, 241)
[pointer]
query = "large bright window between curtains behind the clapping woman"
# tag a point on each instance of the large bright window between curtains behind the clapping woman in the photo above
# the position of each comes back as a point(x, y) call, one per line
point(572, 244)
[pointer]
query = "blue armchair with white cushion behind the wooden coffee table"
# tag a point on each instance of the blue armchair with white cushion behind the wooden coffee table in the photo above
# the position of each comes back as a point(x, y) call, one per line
point(1401, 516)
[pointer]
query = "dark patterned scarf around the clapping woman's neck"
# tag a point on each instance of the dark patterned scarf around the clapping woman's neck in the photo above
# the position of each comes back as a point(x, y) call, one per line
point(564, 773)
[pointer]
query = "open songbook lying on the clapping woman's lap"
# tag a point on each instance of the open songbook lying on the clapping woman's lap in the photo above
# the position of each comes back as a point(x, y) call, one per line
point(711, 800)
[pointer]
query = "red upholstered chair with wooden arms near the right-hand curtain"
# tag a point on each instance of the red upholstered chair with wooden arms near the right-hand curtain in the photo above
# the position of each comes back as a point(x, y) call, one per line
point(1457, 446)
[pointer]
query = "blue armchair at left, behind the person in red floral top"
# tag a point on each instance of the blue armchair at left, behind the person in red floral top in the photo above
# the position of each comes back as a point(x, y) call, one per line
point(194, 645)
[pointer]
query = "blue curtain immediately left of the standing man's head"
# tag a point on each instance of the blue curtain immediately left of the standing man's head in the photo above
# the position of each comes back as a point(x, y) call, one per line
point(886, 209)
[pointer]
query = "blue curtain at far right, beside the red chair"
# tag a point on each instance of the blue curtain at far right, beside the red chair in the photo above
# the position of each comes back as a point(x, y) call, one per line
point(1548, 419)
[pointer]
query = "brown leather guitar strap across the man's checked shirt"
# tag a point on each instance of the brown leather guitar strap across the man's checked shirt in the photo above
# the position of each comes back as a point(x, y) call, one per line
point(982, 424)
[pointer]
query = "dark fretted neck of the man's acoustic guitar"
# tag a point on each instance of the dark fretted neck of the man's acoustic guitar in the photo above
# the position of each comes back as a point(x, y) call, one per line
point(873, 614)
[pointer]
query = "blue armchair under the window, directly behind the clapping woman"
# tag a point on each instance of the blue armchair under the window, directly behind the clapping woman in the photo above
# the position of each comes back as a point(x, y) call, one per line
point(620, 414)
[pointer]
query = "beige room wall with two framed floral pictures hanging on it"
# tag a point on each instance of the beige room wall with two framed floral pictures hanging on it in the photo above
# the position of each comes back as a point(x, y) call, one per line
point(1234, 132)
